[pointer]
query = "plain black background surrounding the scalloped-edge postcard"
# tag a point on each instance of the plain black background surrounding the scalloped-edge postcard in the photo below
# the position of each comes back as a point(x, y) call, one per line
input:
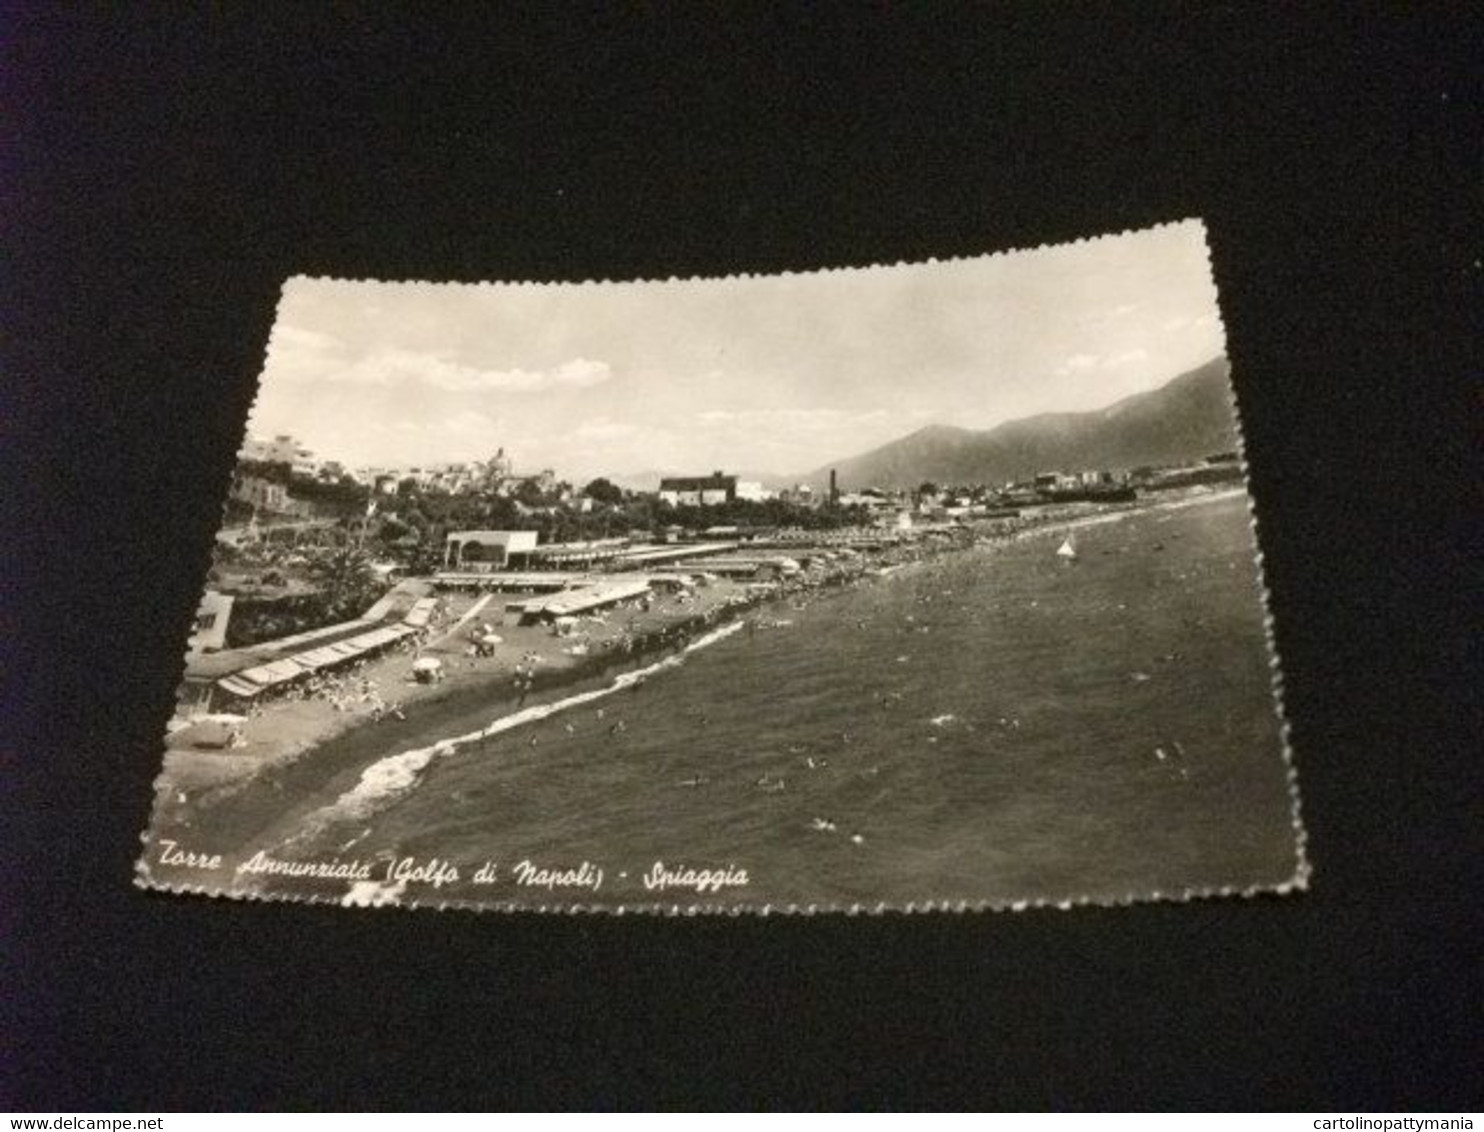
point(168, 167)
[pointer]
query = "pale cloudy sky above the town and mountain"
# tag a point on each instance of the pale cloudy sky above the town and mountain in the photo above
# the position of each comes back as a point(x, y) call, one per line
point(771, 375)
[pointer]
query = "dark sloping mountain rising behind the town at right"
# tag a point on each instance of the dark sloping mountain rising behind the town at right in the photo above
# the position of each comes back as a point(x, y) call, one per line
point(1186, 419)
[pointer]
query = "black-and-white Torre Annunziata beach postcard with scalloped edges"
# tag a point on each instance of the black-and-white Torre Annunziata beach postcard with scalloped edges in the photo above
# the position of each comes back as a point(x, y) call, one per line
point(902, 588)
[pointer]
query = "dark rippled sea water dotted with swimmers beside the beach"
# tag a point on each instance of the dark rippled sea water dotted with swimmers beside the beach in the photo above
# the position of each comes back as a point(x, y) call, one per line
point(995, 725)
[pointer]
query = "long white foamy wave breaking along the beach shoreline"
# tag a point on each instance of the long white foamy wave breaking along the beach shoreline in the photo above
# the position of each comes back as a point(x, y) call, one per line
point(393, 778)
